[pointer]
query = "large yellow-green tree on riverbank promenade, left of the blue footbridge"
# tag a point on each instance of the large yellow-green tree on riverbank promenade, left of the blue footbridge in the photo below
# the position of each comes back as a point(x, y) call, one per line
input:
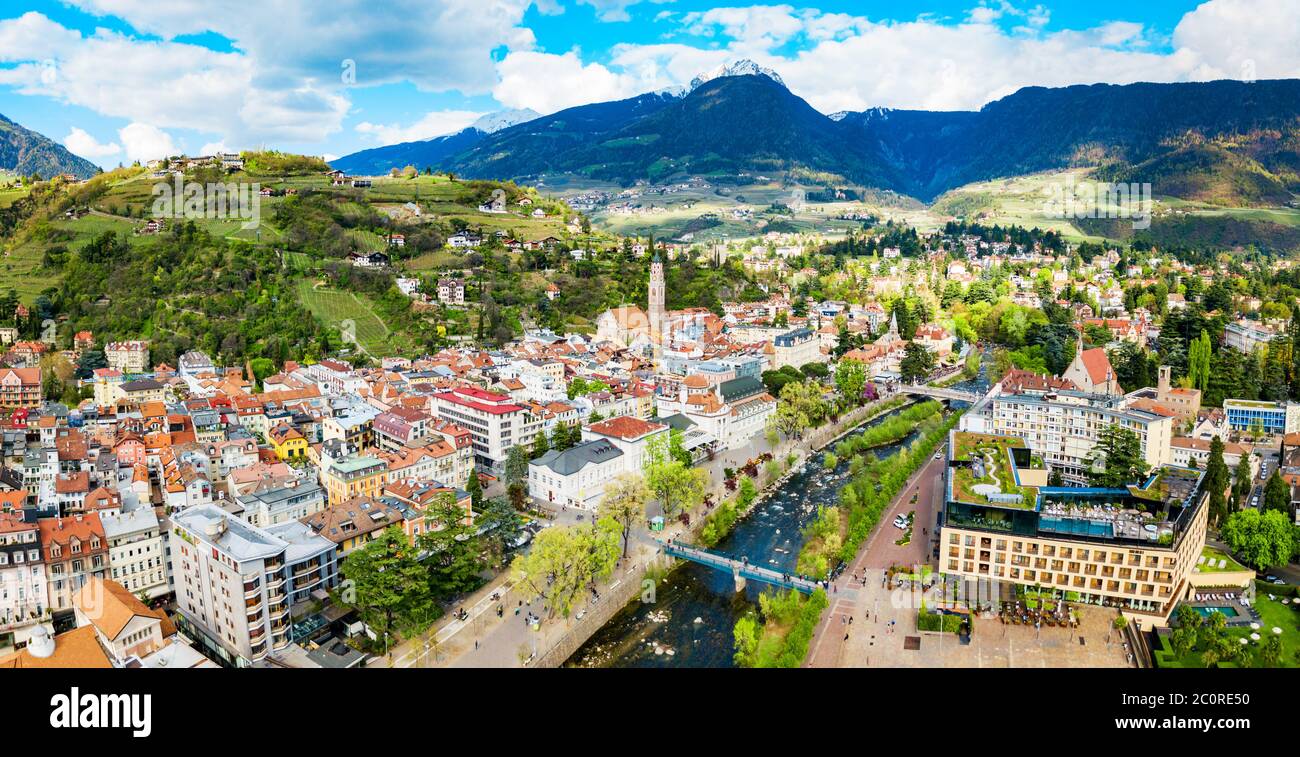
point(566, 563)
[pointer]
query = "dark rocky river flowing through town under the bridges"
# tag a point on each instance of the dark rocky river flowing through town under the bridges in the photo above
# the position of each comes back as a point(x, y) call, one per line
point(690, 625)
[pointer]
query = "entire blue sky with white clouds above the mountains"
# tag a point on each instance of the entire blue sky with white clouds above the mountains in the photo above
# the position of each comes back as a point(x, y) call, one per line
point(125, 80)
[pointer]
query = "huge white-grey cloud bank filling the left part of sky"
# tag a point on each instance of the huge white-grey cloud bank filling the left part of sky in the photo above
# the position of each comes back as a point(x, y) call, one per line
point(288, 75)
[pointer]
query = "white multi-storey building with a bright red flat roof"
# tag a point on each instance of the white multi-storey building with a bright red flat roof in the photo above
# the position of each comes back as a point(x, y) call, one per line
point(495, 422)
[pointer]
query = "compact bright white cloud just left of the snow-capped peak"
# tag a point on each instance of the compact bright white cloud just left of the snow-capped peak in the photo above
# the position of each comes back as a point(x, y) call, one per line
point(549, 83)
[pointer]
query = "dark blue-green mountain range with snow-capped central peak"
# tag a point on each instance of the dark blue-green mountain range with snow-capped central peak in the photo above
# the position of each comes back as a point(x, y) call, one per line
point(1225, 141)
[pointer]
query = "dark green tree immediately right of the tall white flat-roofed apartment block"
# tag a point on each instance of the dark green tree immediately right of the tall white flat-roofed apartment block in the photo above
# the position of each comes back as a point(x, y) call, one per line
point(391, 587)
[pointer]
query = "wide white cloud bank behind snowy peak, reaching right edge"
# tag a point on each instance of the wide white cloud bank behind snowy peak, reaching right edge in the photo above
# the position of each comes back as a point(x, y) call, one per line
point(851, 63)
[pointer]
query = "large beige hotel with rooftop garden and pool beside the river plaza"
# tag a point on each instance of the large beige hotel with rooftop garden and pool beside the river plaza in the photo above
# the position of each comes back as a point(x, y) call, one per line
point(1132, 548)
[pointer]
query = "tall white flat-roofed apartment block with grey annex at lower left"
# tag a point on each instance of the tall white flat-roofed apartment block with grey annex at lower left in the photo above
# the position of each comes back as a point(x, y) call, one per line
point(235, 582)
